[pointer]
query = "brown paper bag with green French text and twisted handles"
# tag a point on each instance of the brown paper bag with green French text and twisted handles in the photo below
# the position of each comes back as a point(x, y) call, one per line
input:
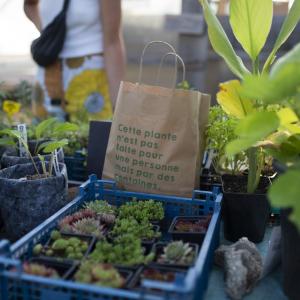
point(156, 139)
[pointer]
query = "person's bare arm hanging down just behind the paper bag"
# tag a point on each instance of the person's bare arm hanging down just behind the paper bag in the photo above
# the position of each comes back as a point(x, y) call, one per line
point(113, 45)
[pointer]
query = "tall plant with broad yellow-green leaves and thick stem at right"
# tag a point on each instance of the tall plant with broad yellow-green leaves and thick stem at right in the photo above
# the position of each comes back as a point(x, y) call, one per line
point(250, 22)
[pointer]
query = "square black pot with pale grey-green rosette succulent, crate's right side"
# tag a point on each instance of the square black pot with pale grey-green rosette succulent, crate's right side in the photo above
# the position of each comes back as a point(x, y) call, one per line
point(176, 254)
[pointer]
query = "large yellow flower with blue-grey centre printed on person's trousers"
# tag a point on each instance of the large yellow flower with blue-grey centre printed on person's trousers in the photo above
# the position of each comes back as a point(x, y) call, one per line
point(89, 92)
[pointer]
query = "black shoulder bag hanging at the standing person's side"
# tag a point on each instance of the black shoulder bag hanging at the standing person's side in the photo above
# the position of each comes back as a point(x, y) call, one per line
point(46, 48)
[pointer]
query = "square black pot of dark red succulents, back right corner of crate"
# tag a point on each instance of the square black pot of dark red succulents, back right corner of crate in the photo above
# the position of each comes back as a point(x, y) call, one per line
point(189, 236)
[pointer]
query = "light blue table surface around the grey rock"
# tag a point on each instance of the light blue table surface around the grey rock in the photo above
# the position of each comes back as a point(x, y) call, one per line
point(268, 287)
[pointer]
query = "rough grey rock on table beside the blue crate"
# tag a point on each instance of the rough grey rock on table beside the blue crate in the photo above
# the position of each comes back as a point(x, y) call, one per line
point(242, 264)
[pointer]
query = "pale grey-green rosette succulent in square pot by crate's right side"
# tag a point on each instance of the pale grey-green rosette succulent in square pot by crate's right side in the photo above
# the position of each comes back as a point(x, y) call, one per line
point(177, 252)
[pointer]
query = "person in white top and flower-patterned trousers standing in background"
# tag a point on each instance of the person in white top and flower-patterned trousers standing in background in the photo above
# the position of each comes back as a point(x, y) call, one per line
point(84, 81)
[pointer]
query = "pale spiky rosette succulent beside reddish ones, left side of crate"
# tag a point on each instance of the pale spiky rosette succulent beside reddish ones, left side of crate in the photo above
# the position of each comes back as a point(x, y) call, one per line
point(88, 226)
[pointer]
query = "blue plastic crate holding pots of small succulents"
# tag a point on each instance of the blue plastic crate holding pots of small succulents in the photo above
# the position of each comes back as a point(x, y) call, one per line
point(16, 285)
